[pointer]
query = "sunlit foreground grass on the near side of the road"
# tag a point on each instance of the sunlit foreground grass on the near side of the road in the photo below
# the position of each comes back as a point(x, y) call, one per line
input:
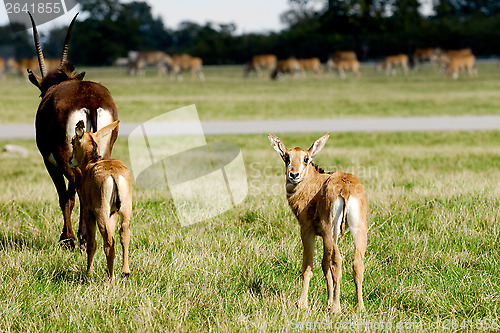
point(432, 253)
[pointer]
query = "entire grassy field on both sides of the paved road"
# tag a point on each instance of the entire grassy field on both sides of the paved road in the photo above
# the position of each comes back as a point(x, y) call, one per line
point(433, 252)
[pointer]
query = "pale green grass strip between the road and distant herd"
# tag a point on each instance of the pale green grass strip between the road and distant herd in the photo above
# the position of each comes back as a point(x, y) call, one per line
point(226, 95)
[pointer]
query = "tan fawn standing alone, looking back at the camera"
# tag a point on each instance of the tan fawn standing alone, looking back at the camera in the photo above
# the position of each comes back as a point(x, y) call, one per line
point(324, 204)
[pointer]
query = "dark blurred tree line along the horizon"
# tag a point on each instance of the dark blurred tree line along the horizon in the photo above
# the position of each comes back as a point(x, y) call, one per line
point(108, 29)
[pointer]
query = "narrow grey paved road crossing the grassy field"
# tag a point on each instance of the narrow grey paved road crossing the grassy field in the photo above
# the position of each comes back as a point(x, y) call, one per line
point(467, 123)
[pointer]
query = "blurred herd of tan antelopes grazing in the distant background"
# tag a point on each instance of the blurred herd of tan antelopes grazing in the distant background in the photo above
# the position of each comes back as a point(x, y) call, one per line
point(449, 62)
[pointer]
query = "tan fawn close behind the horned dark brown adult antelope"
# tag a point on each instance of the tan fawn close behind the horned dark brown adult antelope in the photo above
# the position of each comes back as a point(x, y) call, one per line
point(106, 192)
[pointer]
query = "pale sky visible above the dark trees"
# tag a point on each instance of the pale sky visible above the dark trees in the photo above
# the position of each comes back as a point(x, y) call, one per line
point(248, 15)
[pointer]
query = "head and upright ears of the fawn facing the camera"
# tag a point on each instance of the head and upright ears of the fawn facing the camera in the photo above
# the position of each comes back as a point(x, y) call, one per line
point(297, 160)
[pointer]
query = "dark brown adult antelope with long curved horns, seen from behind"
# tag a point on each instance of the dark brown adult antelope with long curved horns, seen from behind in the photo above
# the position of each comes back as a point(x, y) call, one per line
point(67, 99)
